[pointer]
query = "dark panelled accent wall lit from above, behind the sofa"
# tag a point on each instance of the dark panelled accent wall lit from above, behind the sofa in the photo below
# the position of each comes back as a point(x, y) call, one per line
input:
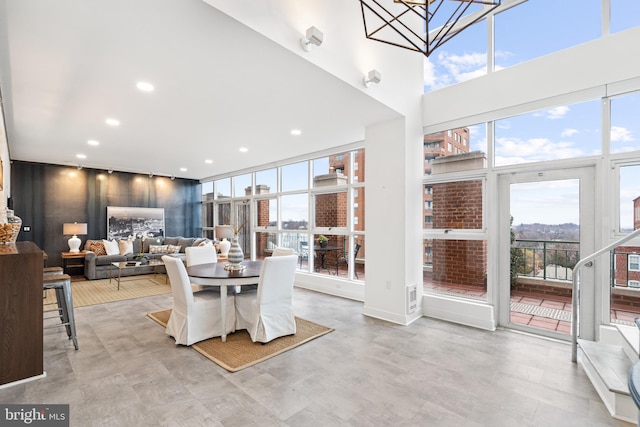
point(46, 196)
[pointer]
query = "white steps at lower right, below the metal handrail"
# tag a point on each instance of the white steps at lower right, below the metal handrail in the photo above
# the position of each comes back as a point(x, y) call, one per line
point(607, 363)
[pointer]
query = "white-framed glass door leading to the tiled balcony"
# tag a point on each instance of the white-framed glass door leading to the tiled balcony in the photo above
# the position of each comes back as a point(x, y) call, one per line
point(546, 222)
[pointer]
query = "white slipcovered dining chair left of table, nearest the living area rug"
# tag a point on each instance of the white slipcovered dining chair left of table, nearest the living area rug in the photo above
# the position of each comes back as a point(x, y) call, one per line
point(195, 316)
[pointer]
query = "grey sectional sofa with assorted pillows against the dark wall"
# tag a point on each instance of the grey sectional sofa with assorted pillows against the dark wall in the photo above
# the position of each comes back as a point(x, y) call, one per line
point(97, 260)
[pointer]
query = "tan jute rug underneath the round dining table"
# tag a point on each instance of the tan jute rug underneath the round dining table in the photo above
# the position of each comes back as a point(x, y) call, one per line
point(239, 352)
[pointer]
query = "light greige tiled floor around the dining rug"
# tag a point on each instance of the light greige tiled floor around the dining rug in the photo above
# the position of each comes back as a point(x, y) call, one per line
point(365, 373)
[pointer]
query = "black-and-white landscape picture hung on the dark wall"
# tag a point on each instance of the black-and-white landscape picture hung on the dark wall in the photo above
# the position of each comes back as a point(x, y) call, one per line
point(140, 223)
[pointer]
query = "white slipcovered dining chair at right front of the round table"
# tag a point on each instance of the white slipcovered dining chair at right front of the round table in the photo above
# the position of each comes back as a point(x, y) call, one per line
point(268, 313)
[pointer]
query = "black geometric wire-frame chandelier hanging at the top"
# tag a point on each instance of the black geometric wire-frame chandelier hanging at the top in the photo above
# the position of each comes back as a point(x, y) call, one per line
point(421, 26)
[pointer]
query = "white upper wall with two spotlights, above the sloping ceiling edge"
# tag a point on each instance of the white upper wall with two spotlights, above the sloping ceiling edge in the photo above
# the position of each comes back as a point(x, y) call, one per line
point(345, 52)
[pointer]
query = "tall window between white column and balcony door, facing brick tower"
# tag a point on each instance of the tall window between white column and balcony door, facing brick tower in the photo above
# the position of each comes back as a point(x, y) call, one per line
point(454, 229)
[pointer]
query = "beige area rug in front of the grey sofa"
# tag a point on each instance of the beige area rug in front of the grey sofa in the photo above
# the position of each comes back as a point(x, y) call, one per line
point(91, 292)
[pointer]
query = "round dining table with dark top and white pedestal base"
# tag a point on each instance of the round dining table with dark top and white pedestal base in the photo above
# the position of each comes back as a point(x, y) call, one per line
point(215, 274)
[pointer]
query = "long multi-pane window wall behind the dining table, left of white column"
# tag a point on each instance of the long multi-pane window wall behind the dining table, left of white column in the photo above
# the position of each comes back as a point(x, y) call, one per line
point(292, 205)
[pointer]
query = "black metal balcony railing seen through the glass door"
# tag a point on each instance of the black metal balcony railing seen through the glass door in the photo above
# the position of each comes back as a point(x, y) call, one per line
point(547, 259)
